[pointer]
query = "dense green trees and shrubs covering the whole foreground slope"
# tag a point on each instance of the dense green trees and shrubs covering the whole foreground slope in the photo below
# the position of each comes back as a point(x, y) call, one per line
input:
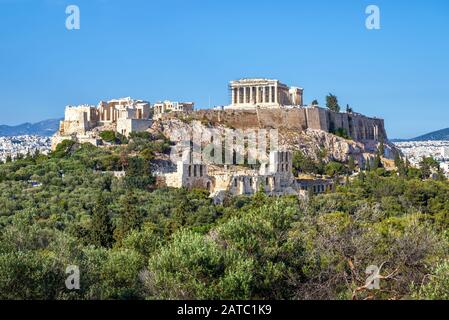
point(133, 242)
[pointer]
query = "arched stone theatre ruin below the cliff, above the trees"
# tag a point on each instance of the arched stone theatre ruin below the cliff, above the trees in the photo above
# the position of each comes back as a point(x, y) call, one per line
point(273, 177)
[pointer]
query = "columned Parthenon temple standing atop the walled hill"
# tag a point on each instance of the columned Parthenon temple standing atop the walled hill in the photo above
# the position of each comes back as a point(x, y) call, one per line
point(264, 93)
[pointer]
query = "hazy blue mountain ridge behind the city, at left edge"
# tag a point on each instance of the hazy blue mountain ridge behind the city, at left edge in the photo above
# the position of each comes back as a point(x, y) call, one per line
point(43, 128)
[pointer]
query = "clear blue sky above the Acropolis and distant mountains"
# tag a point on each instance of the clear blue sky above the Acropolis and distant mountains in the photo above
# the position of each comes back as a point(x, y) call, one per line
point(190, 49)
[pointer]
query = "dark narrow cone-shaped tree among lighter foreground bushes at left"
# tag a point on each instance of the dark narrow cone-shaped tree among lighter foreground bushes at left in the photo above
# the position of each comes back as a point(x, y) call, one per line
point(101, 230)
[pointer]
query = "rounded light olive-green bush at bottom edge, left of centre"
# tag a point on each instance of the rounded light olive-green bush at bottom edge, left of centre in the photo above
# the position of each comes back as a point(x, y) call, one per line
point(193, 266)
